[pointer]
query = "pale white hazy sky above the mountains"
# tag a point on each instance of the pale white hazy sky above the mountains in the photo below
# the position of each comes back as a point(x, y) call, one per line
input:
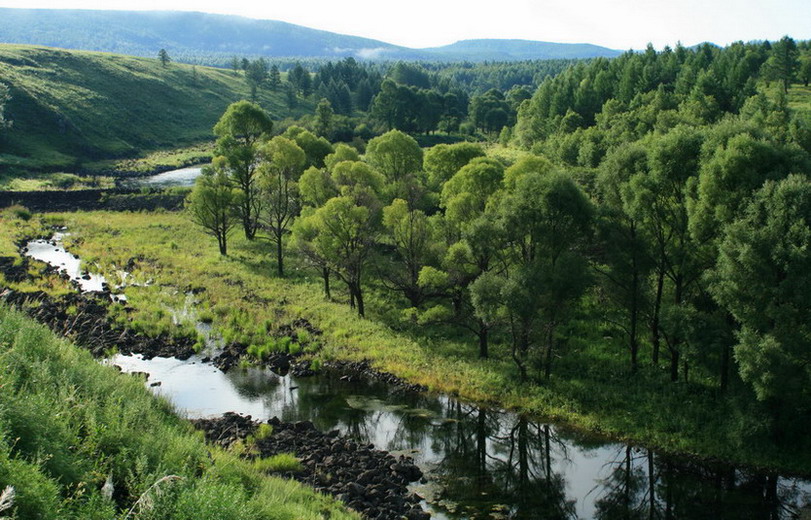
point(619, 24)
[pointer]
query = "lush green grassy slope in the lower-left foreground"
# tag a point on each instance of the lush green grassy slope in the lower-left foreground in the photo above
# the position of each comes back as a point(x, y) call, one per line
point(68, 424)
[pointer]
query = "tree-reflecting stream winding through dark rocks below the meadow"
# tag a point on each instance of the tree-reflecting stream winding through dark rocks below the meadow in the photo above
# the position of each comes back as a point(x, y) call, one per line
point(479, 463)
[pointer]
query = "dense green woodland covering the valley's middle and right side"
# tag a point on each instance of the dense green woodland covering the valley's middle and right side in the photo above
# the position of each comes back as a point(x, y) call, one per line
point(662, 199)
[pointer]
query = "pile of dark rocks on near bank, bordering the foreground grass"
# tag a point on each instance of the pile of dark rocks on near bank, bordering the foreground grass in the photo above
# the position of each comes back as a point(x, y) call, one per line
point(370, 481)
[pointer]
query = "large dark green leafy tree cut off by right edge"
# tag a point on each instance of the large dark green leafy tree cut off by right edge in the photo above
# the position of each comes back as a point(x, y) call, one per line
point(764, 270)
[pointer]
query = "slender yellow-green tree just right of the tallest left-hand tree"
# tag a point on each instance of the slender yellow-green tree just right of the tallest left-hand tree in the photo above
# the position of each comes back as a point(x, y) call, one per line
point(282, 162)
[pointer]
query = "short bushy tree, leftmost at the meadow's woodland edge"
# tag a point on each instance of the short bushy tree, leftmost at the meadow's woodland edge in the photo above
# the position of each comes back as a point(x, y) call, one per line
point(211, 203)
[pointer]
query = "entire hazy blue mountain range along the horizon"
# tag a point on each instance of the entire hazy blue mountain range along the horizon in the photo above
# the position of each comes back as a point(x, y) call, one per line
point(214, 39)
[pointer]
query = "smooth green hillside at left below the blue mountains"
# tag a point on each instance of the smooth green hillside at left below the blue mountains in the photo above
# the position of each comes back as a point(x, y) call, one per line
point(70, 108)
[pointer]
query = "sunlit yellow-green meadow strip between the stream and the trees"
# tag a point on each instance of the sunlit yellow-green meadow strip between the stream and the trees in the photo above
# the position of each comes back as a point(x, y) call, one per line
point(590, 387)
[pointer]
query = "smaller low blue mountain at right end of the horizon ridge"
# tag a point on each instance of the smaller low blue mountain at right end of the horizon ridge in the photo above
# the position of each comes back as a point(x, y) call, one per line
point(509, 50)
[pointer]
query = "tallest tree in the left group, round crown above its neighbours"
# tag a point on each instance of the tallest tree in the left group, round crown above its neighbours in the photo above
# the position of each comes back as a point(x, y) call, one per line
point(239, 132)
